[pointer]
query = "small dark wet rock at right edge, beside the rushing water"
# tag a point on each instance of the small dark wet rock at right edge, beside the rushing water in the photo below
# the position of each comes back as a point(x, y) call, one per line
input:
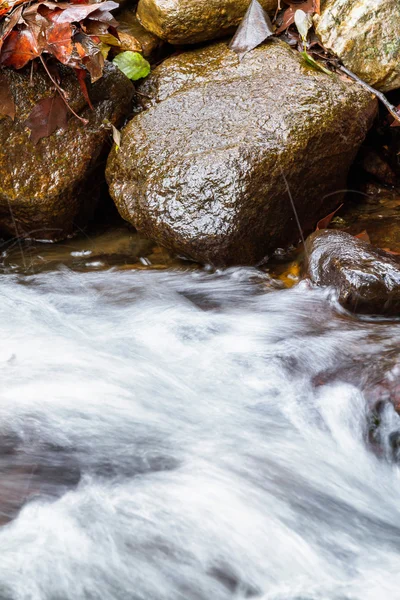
point(367, 280)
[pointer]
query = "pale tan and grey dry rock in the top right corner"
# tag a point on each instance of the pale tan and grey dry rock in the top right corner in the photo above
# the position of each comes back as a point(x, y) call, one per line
point(365, 34)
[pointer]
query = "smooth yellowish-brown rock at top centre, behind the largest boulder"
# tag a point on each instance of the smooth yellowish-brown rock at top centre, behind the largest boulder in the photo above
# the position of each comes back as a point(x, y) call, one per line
point(189, 22)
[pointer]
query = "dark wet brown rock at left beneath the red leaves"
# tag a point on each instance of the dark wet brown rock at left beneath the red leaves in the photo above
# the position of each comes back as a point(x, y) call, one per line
point(47, 187)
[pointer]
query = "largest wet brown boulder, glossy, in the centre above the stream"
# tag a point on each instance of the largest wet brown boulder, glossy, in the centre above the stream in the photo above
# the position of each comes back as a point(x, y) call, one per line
point(203, 170)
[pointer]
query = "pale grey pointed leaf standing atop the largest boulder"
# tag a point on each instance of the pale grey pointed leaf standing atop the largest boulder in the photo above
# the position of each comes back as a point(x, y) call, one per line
point(255, 28)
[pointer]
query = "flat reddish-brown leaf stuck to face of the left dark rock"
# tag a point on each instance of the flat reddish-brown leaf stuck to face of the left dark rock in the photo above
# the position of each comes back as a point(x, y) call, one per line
point(46, 116)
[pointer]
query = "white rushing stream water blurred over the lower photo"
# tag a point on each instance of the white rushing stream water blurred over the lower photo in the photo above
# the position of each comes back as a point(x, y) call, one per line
point(185, 434)
